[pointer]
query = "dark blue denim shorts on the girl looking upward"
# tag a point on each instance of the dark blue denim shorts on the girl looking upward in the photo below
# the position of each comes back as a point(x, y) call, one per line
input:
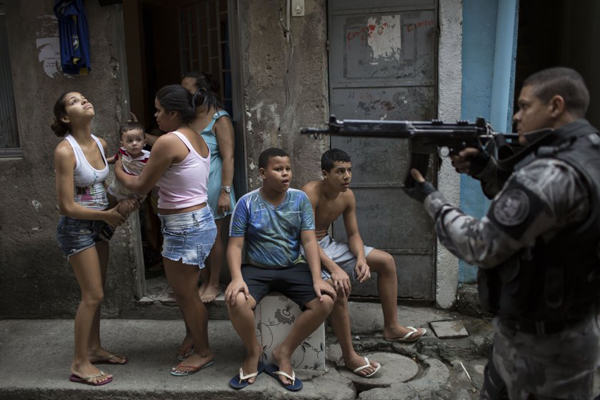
point(75, 235)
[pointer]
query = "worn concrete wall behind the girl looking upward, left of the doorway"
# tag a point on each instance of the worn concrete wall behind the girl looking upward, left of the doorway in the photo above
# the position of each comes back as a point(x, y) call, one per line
point(35, 281)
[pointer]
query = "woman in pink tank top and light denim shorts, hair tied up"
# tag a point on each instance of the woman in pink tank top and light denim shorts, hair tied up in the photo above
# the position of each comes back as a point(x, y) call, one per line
point(179, 165)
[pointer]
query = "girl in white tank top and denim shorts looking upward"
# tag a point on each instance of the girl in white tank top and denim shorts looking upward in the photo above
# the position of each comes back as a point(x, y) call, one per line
point(81, 169)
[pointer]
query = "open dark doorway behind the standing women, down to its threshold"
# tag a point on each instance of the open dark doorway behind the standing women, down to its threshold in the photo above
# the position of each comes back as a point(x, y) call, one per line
point(164, 41)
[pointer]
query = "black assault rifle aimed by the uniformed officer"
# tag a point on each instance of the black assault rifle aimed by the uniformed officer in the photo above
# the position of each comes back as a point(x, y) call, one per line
point(425, 138)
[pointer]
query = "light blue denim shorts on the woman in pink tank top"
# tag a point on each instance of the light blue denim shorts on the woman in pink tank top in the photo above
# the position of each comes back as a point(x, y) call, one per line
point(188, 237)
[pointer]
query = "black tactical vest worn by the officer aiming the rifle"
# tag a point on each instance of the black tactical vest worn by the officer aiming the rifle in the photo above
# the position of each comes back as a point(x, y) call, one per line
point(558, 280)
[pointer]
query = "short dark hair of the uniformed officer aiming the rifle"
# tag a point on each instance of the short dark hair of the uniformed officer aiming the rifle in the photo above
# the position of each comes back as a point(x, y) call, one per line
point(565, 82)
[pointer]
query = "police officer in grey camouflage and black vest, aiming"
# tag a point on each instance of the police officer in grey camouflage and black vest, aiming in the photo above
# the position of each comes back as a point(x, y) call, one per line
point(537, 248)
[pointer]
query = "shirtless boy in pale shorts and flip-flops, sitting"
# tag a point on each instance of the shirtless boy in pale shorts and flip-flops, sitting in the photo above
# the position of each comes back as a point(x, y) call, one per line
point(343, 263)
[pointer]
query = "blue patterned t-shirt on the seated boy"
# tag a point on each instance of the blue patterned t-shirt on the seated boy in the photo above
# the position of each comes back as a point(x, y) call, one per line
point(272, 233)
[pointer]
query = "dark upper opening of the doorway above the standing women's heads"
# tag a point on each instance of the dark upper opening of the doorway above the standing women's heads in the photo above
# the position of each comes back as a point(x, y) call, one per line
point(165, 40)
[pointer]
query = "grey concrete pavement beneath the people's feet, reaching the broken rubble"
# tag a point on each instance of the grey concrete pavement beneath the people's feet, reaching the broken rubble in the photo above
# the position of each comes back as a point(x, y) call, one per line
point(35, 358)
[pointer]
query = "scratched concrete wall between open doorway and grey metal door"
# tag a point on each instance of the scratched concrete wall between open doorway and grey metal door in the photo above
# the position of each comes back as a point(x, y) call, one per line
point(265, 57)
